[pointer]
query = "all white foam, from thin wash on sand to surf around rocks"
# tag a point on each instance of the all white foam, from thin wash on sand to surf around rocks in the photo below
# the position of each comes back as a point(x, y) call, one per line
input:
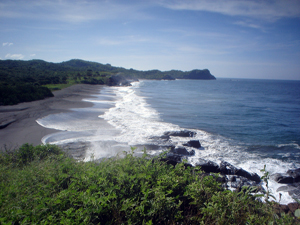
point(134, 121)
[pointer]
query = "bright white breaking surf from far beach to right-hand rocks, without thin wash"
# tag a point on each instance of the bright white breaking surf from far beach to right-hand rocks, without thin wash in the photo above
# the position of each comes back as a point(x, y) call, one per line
point(139, 122)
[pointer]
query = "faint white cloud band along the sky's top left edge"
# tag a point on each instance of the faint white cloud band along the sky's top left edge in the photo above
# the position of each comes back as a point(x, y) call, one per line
point(73, 11)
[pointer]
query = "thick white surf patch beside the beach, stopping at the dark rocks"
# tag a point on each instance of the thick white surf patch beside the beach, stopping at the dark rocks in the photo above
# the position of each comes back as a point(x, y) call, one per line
point(136, 120)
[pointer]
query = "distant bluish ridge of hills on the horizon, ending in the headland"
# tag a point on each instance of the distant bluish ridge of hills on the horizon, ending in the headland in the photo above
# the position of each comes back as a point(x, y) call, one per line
point(38, 68)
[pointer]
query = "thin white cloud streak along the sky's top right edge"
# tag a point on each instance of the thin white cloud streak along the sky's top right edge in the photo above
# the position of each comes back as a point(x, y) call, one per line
point(268, 10)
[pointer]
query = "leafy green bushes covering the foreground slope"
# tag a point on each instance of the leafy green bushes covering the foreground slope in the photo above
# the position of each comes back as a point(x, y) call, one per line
point(42, 185)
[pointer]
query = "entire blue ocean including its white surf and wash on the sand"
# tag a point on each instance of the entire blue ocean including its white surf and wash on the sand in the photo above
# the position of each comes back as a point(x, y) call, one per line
point(248, 123)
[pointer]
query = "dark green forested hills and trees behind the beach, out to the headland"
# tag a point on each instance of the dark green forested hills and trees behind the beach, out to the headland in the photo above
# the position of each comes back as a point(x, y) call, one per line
point(23, 81)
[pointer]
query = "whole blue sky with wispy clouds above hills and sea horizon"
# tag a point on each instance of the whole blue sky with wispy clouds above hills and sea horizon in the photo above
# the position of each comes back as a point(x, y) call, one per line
point(231, 38)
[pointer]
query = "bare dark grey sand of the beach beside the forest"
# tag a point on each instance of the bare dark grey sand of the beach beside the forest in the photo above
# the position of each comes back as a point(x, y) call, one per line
point(18, 123)
